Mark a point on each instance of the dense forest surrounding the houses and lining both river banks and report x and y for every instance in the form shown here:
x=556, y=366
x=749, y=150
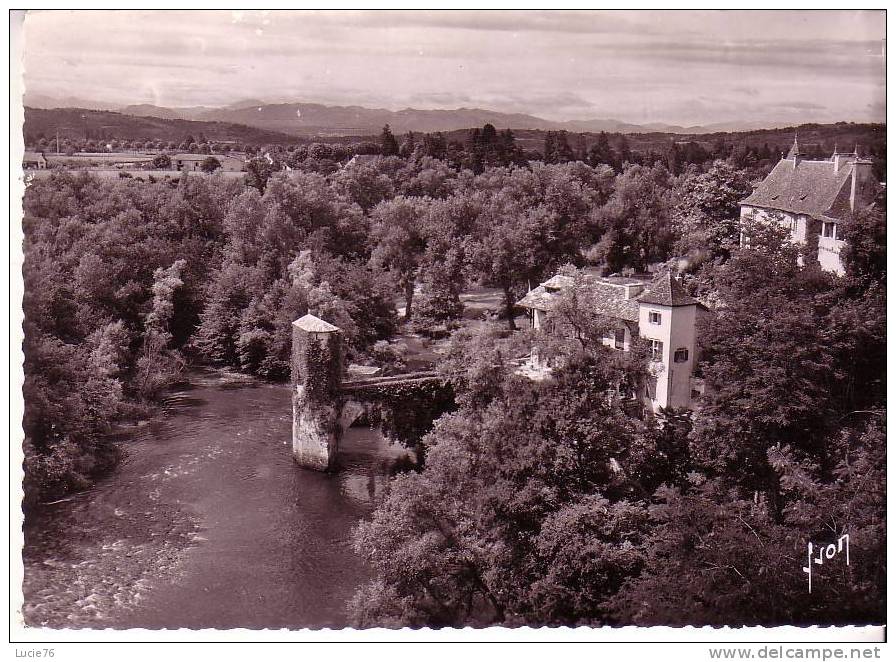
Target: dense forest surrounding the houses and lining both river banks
x=539, y=502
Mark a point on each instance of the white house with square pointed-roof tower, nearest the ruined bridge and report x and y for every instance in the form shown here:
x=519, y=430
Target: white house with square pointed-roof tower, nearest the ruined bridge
x=658, y=310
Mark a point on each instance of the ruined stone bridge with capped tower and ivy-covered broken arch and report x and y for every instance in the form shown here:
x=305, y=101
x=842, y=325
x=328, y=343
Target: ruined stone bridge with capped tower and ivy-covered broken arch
x=324, y=405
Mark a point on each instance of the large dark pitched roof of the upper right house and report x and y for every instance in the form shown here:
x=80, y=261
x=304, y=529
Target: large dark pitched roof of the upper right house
x=805, y=187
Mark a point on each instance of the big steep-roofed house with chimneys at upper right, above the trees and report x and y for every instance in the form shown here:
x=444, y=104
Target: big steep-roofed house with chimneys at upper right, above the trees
x=813, y=199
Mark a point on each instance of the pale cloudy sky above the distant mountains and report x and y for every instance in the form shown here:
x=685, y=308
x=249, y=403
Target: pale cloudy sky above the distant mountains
x=677, y=67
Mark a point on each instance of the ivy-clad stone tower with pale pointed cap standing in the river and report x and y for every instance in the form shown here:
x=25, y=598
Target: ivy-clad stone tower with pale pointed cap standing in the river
x=316, y=375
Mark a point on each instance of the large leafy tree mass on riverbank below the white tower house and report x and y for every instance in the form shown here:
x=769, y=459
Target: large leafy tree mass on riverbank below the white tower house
x=506, y=524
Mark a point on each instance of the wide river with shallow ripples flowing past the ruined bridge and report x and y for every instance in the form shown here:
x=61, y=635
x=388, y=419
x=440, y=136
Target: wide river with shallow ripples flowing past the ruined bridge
x=208, y=522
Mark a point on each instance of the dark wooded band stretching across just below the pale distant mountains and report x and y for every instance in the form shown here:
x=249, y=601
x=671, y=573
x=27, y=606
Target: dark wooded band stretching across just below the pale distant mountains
x=479, y=148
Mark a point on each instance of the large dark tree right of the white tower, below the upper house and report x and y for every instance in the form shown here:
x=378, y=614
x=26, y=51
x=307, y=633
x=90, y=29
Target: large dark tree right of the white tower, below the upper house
x=785, y=378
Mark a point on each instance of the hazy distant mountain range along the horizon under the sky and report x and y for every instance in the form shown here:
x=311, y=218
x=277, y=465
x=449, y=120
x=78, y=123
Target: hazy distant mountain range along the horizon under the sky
x=311, y=119
